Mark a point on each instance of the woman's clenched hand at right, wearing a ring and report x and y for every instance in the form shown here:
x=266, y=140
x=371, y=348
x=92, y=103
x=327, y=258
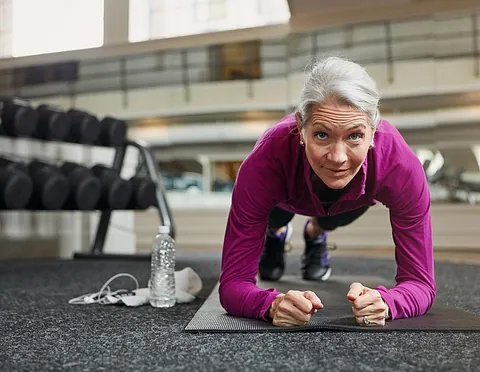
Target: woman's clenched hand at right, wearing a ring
x=368, y=306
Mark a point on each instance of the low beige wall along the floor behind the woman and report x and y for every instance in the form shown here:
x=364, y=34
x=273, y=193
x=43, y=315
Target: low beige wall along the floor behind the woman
x=452, y=226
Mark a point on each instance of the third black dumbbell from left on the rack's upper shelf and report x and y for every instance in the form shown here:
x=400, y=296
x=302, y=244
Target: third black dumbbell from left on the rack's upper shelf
x=84, y=127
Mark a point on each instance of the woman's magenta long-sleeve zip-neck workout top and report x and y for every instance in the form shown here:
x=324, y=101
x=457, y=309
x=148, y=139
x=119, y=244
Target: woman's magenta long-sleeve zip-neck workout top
x=277, y=173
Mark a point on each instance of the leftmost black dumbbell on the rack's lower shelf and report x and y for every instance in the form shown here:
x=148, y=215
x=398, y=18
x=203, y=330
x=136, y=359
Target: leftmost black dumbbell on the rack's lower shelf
x=16, y=186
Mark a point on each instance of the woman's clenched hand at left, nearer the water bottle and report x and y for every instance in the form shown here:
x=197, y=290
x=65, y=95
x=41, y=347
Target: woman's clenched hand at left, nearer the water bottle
x=295, y=308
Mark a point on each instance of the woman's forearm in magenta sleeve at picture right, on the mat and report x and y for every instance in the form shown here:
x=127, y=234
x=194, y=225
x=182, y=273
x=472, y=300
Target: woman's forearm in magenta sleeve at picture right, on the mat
x=408, y=299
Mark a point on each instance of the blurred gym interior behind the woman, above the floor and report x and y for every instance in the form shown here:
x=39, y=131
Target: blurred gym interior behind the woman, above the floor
x=189, y=85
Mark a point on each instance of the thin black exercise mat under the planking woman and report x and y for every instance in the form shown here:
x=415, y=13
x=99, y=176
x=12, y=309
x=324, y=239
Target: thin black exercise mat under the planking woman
x=336, y=315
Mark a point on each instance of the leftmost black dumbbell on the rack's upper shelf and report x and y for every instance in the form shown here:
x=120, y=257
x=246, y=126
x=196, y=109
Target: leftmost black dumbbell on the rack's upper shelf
x=19, y=118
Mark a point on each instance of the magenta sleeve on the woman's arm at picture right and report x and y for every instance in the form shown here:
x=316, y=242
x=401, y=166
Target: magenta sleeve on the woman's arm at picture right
x=408, y=198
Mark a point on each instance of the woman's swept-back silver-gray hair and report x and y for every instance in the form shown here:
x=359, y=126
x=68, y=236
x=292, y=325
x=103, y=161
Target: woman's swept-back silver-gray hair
x=343, y=81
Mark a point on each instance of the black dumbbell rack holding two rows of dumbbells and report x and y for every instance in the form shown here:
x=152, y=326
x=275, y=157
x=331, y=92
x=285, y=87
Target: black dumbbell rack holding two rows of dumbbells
x=99, y=188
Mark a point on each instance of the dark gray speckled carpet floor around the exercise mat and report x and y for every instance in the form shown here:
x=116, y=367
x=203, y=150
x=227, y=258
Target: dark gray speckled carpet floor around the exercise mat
x=40, y=331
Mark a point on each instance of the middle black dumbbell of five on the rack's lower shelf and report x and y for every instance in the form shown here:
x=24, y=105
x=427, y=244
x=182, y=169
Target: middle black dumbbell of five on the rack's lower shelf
x=85, y=187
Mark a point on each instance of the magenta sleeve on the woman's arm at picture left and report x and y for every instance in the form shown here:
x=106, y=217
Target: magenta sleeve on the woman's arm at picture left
x=254, y=195
